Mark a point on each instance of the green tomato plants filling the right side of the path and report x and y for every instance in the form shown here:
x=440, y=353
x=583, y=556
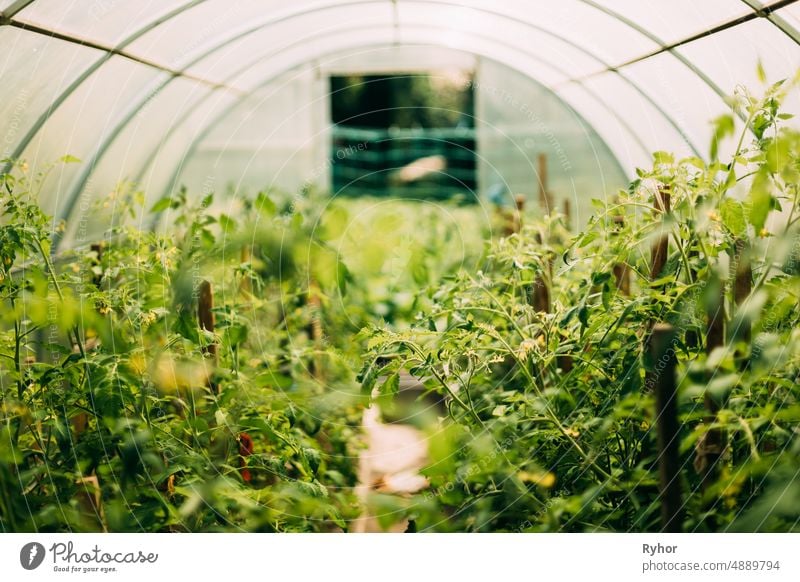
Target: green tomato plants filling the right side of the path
x=533, y=443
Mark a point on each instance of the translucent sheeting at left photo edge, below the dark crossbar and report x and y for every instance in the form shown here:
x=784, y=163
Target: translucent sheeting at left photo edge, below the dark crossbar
x=34, y=69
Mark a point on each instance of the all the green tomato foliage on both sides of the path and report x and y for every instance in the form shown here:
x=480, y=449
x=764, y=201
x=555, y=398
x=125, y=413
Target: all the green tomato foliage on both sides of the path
x=115, y=415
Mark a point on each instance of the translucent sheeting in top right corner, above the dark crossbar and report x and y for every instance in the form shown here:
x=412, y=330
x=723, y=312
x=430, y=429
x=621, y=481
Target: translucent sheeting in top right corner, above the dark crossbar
x=674, y=20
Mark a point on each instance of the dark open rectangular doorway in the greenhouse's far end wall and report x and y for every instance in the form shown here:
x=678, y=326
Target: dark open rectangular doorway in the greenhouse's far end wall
x=404, y=136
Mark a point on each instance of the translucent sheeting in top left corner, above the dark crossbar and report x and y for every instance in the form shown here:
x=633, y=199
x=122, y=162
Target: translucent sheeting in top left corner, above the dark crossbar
x=101, y=21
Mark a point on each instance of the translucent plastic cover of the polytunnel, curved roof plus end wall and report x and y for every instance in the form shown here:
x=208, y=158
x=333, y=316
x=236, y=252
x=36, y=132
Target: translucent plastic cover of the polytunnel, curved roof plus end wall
x=185, y=92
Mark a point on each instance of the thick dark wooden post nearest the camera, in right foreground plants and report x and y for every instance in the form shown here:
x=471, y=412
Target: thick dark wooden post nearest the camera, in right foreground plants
x=662, y=351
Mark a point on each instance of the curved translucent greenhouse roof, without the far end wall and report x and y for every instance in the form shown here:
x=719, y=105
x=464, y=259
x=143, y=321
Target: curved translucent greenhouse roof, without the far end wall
x=645, y=74
